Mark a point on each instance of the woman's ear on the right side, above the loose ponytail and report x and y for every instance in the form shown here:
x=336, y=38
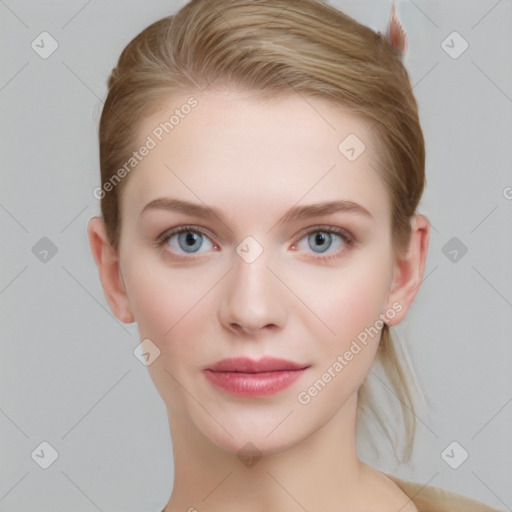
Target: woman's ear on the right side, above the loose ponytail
x=409, y=269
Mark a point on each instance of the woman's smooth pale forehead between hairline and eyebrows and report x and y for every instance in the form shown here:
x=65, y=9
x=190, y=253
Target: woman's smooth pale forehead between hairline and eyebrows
x=234, y=150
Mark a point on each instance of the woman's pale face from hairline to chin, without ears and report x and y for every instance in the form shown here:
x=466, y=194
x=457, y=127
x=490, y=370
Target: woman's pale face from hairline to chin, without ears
x=267, y=275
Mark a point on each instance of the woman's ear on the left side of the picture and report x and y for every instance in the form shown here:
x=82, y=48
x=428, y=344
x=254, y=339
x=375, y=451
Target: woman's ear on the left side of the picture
x=107, y=262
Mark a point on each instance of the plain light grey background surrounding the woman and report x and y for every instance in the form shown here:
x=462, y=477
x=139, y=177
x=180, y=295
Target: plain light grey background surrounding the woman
x=68, y=373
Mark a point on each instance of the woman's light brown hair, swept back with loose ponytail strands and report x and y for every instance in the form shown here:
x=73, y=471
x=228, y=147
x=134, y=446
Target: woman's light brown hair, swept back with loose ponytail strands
x=276, y=48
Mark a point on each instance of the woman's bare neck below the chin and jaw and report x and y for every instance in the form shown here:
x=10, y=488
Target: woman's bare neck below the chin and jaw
x=319, y=471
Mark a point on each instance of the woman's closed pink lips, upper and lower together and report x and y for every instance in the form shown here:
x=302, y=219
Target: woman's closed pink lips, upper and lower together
x=247, y=377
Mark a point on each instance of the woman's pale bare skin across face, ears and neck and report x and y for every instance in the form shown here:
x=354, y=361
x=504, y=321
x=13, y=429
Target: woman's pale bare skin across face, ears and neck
x=253, y=160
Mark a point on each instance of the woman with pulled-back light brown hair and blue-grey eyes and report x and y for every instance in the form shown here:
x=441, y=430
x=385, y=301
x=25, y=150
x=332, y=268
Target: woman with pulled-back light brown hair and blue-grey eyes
x=261, y=166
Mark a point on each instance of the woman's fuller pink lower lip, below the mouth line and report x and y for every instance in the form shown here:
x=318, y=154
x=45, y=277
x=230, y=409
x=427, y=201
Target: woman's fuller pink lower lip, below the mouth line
x=254, y=384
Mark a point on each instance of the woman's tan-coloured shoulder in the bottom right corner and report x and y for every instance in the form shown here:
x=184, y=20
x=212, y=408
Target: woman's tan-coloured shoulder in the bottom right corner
x=428, y=498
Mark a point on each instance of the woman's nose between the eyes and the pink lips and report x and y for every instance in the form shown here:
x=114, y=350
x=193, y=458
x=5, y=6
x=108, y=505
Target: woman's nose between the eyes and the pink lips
x=253, y=298
